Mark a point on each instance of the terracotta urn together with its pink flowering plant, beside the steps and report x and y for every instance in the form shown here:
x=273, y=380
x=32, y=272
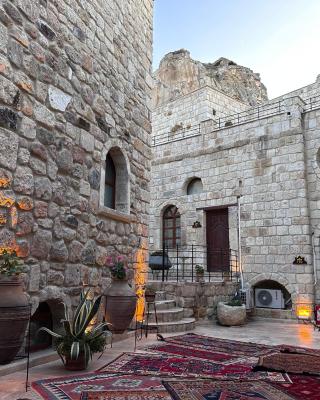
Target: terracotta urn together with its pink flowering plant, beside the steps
x=121, y=298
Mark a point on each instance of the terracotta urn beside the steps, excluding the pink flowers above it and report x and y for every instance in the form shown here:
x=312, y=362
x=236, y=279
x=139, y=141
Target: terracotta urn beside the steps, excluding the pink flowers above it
x=121, y=303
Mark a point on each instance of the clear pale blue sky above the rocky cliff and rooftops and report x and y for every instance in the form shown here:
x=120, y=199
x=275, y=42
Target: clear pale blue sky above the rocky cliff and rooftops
x=280, y=39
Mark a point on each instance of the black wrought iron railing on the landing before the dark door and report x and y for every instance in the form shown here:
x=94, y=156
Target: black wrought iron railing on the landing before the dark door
x=179, y=264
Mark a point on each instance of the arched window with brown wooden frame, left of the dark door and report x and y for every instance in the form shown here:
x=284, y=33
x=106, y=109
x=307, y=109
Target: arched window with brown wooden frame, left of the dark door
x=171, y=227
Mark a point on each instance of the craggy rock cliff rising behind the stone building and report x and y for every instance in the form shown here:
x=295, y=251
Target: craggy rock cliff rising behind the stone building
x=179, y=74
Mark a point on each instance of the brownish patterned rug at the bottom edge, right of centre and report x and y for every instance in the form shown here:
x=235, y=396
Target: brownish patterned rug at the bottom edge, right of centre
x=224, y=390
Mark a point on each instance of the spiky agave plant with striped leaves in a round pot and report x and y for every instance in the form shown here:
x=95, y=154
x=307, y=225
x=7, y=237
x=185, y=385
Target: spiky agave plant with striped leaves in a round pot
x=80, y=340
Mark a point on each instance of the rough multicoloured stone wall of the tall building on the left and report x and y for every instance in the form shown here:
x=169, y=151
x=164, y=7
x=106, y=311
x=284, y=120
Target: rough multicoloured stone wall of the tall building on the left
x=74, y=79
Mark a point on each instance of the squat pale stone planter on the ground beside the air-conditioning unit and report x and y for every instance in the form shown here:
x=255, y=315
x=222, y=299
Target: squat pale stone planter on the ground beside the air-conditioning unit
x=231, y=313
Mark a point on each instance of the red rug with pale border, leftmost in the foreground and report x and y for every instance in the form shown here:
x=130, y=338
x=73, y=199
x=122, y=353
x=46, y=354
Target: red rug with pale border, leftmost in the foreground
x=71, y=387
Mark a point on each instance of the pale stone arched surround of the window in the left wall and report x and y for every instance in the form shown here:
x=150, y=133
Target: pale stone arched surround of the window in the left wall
x=115, y=148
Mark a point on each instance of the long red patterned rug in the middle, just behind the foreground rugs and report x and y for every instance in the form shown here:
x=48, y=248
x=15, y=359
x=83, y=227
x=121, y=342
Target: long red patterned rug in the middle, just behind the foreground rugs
x=167, y=365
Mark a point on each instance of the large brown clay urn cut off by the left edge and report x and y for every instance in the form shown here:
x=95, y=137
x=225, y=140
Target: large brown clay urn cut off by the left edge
x=14, y=317
